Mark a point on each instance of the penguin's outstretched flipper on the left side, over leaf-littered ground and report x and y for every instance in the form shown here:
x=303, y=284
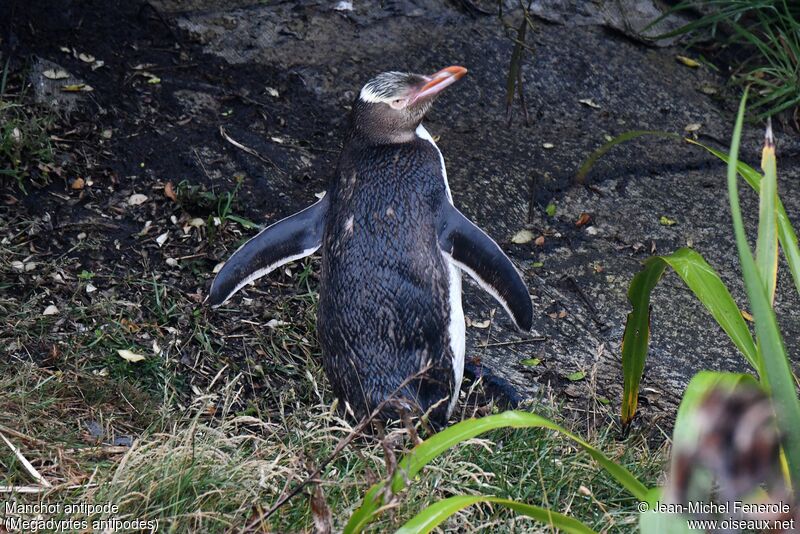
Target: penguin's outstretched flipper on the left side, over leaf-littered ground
x=289, y=239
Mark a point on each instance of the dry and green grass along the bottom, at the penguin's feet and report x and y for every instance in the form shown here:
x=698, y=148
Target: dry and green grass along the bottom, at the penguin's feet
x=194, y=471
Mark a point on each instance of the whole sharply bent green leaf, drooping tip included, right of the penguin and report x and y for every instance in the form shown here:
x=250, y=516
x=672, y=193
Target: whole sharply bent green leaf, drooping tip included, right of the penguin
x=709, y=289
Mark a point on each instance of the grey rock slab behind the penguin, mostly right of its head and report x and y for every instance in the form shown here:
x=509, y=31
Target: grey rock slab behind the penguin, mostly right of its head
x=581, y=83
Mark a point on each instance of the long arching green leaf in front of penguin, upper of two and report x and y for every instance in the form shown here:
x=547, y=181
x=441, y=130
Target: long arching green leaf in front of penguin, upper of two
x=422, y=454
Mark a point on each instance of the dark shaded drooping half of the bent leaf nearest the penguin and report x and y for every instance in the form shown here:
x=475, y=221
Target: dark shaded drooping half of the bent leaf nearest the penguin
x=636, y=339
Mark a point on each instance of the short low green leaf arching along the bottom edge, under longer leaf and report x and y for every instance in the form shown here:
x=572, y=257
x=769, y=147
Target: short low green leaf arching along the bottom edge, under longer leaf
x=435, y=514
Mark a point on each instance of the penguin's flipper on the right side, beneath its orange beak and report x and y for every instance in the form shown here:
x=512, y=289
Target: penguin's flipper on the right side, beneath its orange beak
x=471, y=250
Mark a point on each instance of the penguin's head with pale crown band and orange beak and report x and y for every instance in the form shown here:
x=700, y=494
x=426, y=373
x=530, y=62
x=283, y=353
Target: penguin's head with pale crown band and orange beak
x=392, y=104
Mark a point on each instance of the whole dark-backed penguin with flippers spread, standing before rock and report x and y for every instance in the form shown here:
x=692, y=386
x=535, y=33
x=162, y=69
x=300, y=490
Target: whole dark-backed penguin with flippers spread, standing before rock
x=390, y=319
